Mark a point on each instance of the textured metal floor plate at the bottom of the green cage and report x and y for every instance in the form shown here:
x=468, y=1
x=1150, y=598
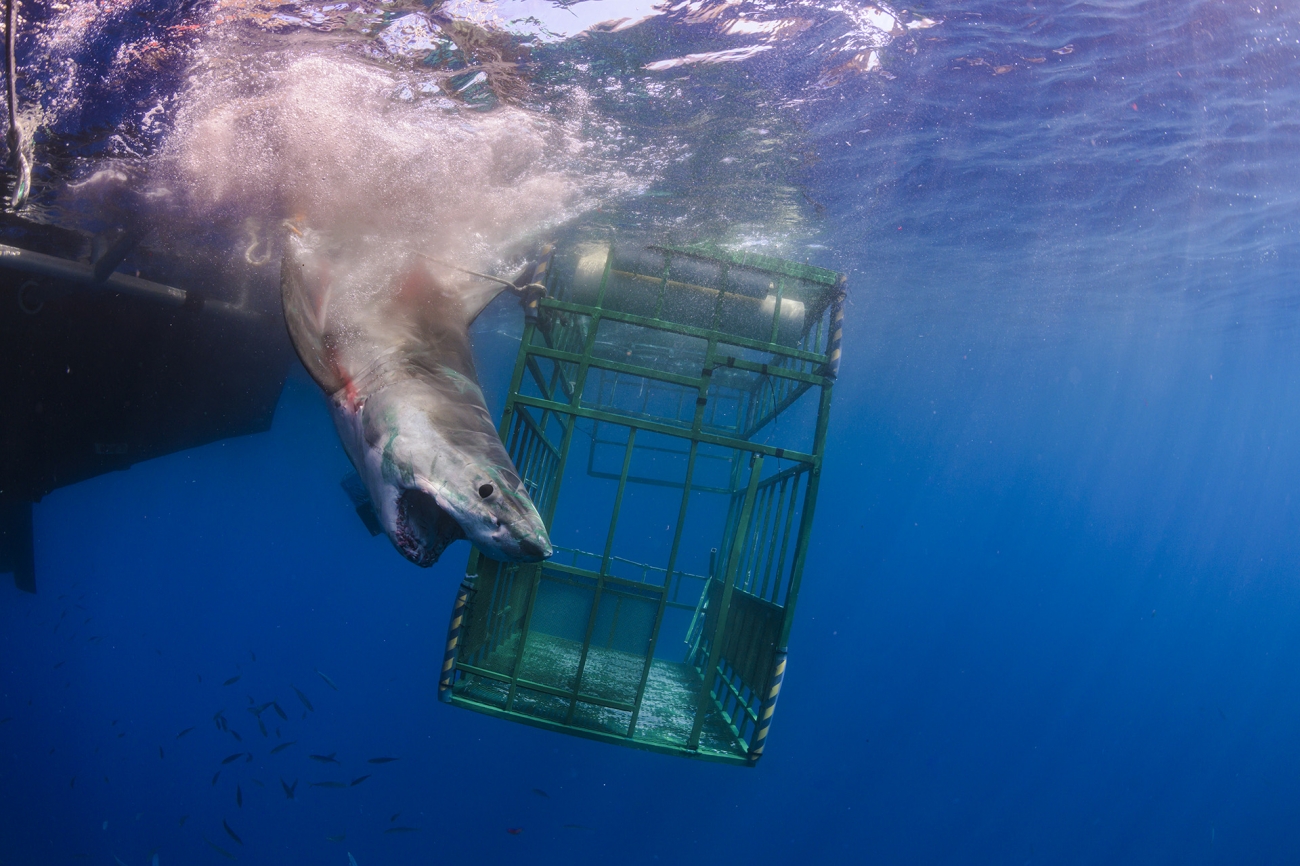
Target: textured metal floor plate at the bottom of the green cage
x=668, y=711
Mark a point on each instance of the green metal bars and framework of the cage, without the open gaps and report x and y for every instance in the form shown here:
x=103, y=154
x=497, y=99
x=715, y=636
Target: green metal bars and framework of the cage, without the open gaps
x=792, y=373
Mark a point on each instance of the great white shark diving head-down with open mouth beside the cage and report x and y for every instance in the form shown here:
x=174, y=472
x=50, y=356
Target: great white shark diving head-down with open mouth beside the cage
x=396, y=363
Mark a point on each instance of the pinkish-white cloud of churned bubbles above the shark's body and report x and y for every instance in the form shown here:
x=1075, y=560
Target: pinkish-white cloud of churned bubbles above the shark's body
x=323, y=140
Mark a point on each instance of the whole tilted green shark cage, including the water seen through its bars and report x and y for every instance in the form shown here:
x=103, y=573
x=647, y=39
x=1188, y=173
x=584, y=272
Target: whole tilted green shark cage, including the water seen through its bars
x=668, y=413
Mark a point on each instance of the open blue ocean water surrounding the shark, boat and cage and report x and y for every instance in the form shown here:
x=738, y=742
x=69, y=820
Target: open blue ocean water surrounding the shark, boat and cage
x=1048, y=613
